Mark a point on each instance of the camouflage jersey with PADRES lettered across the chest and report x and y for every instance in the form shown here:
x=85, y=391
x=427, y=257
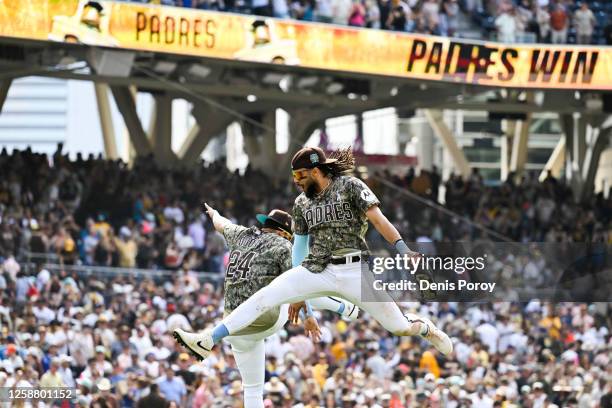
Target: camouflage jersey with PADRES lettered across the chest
x=335, y=220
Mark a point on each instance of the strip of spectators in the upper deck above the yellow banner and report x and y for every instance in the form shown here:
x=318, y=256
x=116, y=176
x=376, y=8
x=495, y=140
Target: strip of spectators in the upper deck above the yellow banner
x=556, y=21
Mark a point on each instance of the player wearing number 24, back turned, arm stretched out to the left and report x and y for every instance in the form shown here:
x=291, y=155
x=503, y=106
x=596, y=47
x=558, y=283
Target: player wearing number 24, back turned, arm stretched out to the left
x=257, y=256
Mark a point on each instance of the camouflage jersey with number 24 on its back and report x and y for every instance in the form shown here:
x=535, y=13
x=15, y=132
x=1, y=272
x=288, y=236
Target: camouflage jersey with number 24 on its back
x=255, y=259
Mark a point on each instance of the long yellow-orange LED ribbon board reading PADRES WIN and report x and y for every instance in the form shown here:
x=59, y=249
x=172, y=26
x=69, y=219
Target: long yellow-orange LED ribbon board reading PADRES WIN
x=231, y=36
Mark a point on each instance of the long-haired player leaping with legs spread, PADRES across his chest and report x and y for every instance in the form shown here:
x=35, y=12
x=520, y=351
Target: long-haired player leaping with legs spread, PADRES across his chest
x=331, y=218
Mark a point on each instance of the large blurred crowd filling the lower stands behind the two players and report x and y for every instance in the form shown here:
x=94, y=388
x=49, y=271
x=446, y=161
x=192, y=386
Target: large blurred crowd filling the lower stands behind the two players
x=108, y=334
